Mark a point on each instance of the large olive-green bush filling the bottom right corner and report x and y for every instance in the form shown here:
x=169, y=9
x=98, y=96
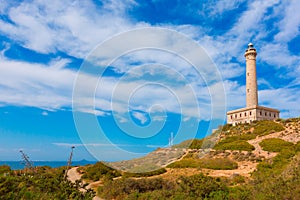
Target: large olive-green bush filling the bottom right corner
x=280, y=180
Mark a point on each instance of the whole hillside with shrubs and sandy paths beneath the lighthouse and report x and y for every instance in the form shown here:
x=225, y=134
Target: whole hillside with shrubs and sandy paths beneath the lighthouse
x=249, y=161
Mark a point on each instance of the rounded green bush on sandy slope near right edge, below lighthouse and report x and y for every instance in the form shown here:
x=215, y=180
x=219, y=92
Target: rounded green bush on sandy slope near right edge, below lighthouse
x=275, y=144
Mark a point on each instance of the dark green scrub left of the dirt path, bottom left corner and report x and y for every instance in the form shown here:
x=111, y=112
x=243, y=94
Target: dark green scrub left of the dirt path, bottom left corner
x=44, y=183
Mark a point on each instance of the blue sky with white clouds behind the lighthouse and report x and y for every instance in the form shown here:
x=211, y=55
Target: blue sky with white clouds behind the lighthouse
x=43, y=46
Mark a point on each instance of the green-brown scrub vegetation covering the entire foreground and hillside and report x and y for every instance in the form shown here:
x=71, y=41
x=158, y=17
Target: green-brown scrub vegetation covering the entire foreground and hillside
x=277, y=177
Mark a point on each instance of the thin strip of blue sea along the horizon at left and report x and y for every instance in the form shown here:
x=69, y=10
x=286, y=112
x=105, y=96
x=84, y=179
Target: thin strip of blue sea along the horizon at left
x=16, y=165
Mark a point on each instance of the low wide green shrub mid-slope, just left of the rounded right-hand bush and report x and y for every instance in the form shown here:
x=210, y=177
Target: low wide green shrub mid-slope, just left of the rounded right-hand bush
x=234, y=145
